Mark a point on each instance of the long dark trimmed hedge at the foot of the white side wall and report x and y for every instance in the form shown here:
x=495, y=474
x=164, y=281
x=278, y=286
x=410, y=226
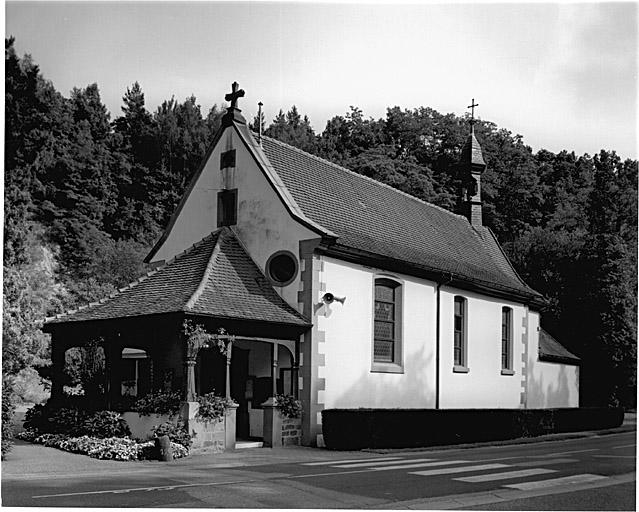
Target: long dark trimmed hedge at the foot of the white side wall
x=355, y=429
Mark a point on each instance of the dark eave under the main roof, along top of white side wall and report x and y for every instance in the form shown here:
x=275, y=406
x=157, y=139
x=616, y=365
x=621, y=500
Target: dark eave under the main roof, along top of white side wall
x=439, y=276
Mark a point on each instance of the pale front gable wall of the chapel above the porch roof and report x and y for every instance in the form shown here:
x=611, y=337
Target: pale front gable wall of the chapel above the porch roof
x=263, y=224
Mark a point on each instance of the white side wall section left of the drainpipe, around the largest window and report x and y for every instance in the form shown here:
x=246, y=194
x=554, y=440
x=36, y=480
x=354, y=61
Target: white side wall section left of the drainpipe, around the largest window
x=348, y=342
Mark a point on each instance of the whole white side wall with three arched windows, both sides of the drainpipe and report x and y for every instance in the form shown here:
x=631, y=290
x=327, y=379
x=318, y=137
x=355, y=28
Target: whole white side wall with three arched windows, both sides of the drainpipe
x=349, y=381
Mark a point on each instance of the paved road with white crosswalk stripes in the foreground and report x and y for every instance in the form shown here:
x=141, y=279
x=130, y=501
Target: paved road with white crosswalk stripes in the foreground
x=595, y=473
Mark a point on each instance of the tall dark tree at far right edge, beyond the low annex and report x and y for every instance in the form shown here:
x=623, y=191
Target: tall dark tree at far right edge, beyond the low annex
x=610, y=304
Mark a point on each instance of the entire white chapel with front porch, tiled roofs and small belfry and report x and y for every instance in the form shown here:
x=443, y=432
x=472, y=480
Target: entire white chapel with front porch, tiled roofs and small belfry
x=336, y=288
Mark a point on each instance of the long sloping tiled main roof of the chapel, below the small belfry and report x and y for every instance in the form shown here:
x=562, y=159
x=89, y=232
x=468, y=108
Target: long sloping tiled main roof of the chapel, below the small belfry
x=373, y=217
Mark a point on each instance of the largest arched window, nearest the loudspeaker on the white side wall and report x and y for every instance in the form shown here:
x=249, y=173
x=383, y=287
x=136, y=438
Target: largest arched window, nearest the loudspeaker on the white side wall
x=387, y=337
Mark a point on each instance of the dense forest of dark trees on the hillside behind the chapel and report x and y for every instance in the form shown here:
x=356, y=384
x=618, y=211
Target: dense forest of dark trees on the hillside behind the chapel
x=86, y=196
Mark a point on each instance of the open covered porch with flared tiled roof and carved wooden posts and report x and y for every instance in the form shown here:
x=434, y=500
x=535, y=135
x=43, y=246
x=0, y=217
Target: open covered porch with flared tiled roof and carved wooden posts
x=141, y=335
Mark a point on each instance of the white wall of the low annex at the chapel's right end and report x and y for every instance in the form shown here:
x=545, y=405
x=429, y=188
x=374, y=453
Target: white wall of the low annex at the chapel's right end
x=549, y=384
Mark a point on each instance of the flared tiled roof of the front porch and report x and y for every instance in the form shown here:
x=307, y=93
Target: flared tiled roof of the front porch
x=215, y=277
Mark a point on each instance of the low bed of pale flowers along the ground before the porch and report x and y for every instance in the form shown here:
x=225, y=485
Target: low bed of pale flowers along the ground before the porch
x=111, y=448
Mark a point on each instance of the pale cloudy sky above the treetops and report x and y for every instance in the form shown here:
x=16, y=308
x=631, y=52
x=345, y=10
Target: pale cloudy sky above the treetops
x=563, y=75
